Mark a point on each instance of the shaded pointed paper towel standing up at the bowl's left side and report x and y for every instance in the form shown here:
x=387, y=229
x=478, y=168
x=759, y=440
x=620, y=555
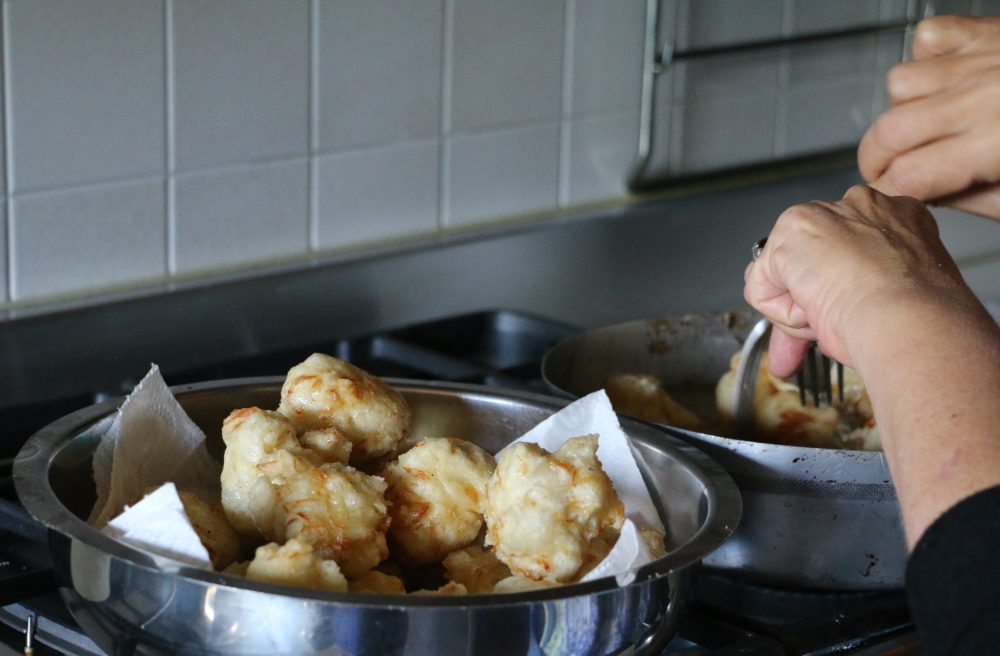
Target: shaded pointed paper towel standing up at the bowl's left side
x=150, y=442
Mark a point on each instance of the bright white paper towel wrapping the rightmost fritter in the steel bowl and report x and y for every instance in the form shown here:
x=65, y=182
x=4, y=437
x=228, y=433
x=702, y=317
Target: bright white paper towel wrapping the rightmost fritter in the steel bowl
x=594, y=414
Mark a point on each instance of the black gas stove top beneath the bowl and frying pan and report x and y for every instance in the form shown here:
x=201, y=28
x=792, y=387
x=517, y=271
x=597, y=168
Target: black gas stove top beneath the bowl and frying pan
x=495, y=348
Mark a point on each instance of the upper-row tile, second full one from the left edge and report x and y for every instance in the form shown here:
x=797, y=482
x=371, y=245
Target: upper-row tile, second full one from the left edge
x=240, y=81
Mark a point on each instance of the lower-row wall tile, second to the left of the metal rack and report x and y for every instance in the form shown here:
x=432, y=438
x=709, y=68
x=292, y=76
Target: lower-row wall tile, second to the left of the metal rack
x=499, y=174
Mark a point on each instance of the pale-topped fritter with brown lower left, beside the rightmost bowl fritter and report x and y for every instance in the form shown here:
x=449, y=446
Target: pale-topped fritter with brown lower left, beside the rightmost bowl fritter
x=437, y=494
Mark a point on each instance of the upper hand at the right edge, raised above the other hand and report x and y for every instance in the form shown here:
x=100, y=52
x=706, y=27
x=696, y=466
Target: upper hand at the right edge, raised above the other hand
x=941, y=139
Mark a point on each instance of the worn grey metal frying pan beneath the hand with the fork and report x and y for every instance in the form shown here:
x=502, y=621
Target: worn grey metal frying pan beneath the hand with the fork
x=812, y=517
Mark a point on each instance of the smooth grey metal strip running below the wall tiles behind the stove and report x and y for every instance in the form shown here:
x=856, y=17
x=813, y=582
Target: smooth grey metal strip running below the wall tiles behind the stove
x=682, y=252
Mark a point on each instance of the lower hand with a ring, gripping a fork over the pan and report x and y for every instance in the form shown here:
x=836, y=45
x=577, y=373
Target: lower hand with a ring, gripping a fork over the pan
x=829, y=267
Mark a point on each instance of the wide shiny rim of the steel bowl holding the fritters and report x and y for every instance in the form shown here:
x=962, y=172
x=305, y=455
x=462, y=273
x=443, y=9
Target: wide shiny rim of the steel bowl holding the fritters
x=31, y=471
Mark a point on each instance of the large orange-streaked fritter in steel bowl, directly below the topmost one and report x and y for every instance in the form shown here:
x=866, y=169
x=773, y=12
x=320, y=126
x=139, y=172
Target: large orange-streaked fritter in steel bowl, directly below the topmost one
x=336, y=509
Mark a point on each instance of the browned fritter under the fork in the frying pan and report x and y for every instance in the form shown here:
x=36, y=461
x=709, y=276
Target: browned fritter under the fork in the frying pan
x=781, y=418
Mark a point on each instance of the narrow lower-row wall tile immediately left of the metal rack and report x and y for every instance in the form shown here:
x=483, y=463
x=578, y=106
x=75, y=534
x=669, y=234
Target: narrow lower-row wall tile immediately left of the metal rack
x=602, y=153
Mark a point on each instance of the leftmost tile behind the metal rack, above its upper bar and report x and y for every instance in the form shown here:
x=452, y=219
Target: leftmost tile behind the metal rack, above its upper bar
x=709, y=23
